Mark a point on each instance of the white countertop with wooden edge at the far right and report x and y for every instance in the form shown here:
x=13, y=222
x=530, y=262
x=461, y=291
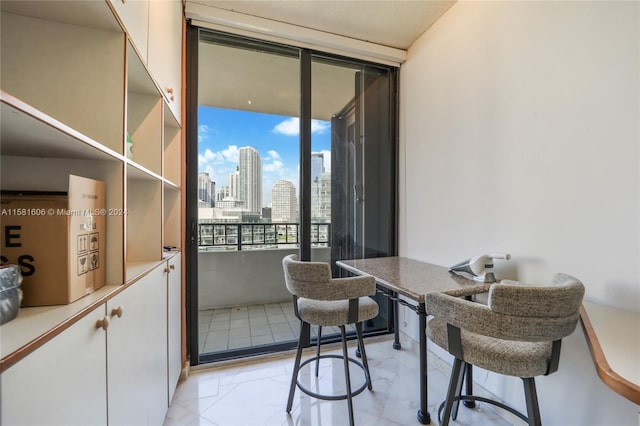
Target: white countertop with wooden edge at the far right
x=613, y=336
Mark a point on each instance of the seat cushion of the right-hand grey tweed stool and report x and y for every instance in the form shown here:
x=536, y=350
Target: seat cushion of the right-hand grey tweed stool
x=508, y=357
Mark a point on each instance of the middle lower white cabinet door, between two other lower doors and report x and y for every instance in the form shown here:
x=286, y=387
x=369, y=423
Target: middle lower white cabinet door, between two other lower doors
x=137, y=352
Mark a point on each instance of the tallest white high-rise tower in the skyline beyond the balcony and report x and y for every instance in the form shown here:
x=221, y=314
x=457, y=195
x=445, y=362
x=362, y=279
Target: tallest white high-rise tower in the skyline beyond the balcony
x=250, y=179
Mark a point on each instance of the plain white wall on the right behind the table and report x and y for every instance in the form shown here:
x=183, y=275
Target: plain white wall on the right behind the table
x=520, y=133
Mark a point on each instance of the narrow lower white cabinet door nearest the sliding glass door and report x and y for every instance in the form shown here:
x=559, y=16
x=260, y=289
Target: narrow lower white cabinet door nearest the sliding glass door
x=174, y=322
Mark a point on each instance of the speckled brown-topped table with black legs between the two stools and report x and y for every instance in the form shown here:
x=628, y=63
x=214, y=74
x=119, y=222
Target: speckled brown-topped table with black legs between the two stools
x=412, y=280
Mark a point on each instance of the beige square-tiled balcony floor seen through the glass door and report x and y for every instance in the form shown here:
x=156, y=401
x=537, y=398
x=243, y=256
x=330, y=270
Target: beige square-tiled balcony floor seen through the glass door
x=249, y=325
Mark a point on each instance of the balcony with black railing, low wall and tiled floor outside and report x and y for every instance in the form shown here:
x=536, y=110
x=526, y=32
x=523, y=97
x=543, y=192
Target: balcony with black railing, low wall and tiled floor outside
x=242, y=297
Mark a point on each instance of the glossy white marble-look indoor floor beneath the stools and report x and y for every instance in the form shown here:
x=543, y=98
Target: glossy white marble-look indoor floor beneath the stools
x=254, y=391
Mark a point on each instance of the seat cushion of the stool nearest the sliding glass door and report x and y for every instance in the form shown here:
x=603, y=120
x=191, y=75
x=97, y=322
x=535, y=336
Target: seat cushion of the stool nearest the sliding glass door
x=334, y=312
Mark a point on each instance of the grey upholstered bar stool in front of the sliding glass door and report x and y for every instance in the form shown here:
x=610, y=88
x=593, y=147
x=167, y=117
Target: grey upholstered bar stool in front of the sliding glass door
x=324, y=301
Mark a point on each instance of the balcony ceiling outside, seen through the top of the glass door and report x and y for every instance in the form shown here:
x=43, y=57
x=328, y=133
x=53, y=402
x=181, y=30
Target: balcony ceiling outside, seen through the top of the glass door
x=250, y=80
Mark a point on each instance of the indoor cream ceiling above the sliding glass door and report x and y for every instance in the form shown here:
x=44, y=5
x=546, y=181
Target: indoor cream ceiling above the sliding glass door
x=392, y=23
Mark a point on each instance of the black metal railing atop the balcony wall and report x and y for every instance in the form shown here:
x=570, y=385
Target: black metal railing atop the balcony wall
x=251, y=236
